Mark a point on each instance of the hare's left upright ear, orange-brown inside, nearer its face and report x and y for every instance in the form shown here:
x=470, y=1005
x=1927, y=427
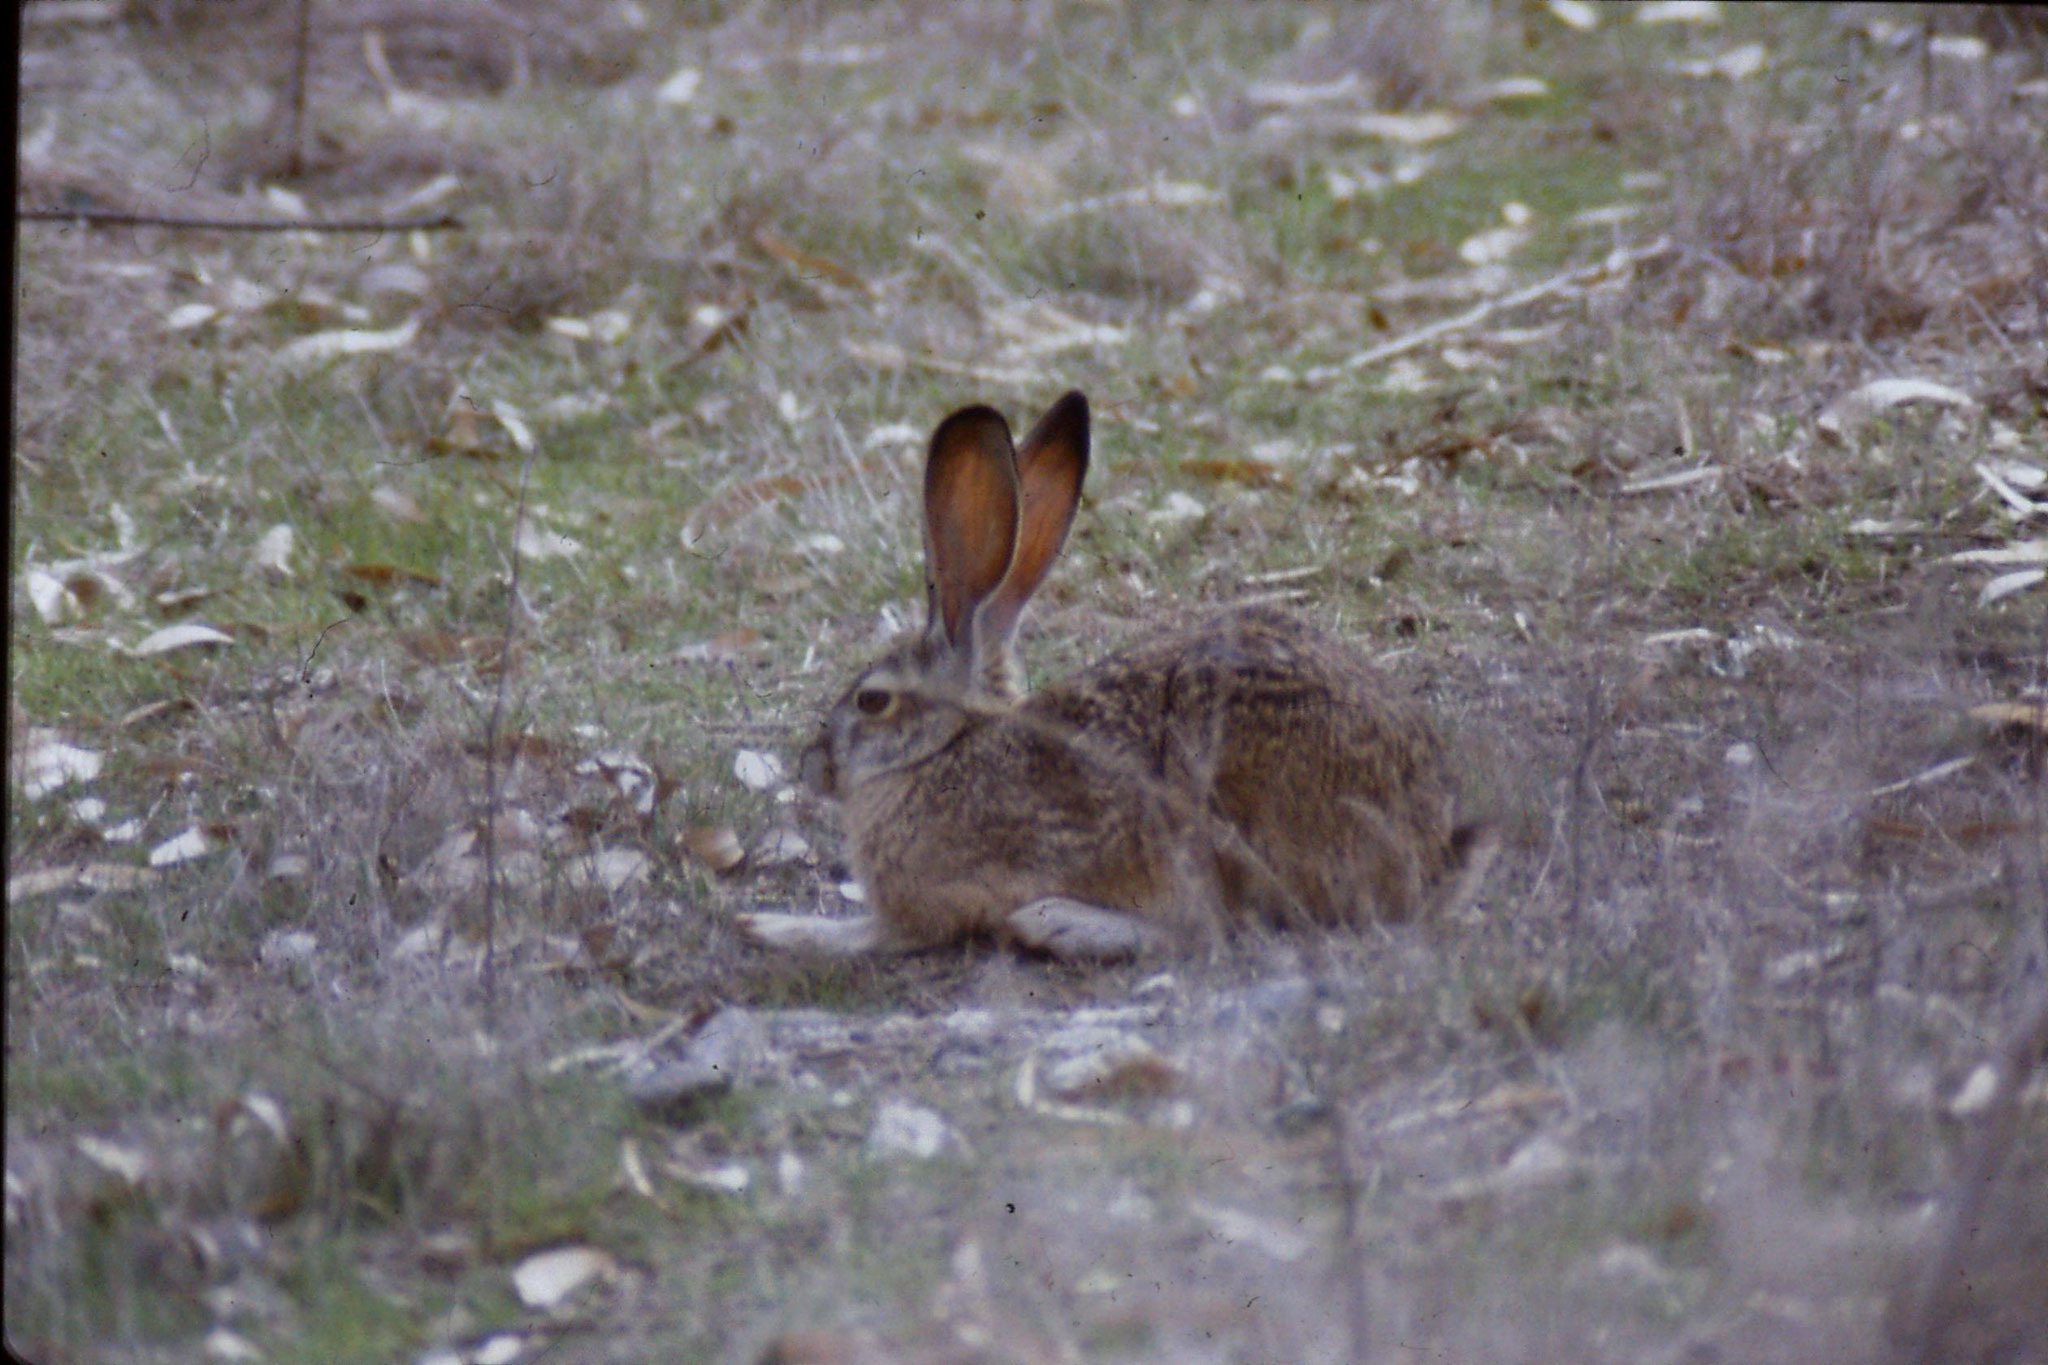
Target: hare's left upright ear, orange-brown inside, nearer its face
x=970, y=519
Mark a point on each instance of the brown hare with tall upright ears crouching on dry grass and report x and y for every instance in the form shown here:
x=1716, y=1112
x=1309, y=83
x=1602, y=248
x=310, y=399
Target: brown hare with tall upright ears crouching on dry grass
x=1250, y=768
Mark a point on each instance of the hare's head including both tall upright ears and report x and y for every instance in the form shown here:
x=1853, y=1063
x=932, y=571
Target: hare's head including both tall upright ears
x=994, y=521
